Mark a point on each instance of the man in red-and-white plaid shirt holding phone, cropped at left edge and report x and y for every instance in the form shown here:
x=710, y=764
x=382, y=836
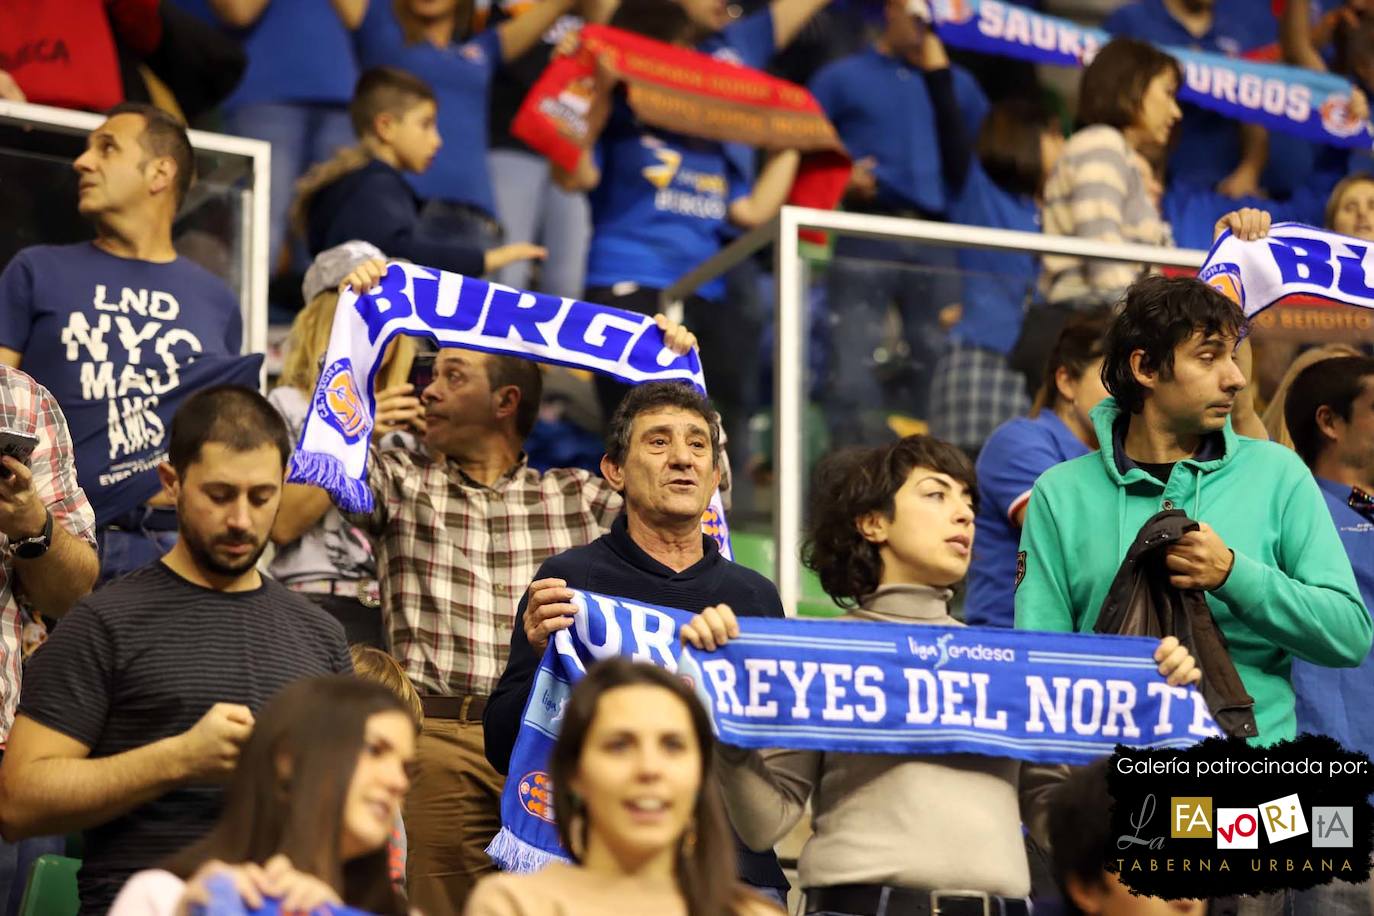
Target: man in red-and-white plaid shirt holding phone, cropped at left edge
x=47, y=551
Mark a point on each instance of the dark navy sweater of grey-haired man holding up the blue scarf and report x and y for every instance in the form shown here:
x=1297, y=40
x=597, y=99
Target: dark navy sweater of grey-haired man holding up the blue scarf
x=615, y=565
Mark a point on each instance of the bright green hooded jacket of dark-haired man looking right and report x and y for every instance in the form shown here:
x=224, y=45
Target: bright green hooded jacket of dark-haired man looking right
x=1291, y=590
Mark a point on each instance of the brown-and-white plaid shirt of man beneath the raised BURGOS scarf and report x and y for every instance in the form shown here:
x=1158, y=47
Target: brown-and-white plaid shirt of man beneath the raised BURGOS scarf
x=455, y=557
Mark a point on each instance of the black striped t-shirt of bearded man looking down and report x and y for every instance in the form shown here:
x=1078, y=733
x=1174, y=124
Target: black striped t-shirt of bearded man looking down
x=144, y=660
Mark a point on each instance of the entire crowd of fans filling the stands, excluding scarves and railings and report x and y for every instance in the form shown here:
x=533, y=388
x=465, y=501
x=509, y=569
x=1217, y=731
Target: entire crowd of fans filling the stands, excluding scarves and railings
x=192, y=707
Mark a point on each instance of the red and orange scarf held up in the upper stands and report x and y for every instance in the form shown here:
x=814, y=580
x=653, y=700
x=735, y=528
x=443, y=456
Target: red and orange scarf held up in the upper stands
x=688, y=93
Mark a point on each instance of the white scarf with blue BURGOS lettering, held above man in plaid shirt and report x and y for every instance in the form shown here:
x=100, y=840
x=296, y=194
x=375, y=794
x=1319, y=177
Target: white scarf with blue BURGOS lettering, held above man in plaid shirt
x=455, y=311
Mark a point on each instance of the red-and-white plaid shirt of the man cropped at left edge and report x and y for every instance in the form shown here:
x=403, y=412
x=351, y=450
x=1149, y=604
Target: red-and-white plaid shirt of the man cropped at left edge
x=27, y=407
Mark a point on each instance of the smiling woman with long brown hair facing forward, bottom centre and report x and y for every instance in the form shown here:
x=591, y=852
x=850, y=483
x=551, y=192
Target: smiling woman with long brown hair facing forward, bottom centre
x=637, y=805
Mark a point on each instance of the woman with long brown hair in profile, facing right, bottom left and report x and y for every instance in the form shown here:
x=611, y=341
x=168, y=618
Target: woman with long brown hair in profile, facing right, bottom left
x=310, y=810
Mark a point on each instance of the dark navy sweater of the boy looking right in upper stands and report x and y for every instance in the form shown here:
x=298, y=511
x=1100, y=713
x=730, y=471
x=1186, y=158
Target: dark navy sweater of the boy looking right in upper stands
x=377, y=205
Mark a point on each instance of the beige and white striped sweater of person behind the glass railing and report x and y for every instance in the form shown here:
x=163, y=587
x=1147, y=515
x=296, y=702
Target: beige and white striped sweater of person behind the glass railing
x=1099, y=190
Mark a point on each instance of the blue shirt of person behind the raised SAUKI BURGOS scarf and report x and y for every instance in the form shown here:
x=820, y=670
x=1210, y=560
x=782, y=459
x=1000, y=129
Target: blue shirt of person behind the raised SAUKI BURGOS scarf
x=1210, y=145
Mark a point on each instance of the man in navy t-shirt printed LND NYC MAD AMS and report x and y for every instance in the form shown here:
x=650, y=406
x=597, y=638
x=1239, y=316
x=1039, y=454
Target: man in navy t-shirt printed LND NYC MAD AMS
x=117, y=329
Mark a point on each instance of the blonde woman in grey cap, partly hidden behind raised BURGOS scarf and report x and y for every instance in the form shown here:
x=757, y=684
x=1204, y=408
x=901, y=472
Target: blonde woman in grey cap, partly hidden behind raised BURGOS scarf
x=318, y=553
